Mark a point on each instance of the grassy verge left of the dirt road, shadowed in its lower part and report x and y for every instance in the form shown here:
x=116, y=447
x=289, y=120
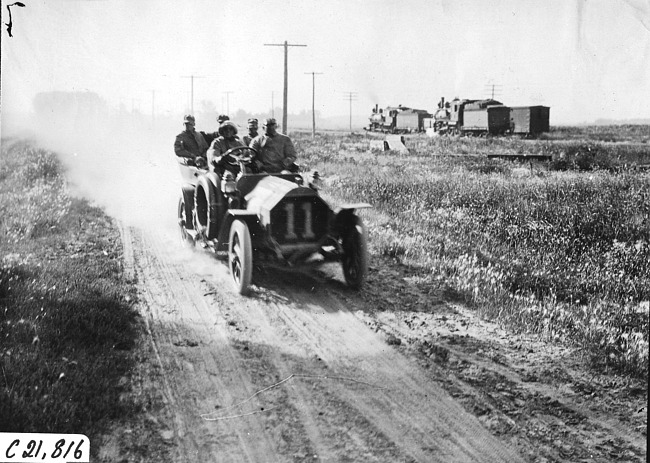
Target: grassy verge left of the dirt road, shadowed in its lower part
x=66, y=316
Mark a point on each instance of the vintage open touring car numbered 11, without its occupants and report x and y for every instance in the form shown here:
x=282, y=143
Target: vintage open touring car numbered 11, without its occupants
x=257, y=218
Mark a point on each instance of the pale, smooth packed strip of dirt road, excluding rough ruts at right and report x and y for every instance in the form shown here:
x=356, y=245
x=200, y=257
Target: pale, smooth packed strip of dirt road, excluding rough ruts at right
x=352, y=397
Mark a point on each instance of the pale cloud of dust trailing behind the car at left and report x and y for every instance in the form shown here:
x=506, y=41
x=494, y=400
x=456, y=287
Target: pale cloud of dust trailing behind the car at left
x=125, y=165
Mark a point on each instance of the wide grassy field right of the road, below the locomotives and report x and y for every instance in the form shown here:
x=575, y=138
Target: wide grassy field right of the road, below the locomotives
x=562, y=254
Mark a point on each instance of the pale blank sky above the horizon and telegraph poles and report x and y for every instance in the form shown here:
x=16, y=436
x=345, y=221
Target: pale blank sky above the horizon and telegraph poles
x=585, y=59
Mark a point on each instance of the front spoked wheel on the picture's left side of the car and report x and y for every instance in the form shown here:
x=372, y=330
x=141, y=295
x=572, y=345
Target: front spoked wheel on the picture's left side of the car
x=240, y=256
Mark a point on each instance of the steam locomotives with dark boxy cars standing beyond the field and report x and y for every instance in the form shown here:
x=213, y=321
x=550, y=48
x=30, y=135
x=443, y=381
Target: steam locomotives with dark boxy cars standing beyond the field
x=463, y=117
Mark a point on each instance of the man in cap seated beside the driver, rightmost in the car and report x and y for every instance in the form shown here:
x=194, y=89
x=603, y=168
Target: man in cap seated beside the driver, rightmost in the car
x=275, y=150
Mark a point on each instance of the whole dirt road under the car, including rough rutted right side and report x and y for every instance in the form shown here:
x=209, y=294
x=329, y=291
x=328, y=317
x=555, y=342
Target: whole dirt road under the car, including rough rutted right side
x=306, y=370
